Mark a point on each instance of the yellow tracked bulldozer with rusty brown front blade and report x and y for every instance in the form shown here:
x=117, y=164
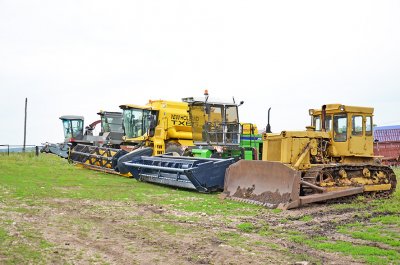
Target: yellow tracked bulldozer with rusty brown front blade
x=332, y=158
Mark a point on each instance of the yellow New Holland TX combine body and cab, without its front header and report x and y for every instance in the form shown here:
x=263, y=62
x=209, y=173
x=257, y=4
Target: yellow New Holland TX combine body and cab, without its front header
x=160, y=124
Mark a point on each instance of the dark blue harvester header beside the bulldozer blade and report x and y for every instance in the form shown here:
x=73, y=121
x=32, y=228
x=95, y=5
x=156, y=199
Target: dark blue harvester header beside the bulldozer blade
x=201, y=174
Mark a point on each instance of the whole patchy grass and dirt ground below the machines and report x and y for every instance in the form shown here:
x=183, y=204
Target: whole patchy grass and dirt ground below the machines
x=53, y=212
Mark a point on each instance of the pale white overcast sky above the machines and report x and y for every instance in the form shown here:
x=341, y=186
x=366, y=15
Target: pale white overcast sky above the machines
x=79, y=57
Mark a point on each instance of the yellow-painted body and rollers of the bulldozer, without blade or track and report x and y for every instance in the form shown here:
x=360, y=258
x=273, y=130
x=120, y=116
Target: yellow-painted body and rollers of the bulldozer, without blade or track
x=302, y=150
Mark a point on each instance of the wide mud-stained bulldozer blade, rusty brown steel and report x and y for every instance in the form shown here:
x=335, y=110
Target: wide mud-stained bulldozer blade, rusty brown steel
x=270, y=184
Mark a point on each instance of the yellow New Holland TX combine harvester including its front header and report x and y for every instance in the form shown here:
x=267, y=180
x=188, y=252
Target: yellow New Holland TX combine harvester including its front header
x=158, y=127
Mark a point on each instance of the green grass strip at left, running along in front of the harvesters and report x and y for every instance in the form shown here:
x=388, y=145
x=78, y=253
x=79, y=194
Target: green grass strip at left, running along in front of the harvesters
x=48, y=176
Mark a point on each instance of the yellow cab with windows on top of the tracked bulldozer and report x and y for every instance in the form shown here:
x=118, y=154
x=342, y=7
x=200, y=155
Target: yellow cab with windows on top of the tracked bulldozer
x=350, y=128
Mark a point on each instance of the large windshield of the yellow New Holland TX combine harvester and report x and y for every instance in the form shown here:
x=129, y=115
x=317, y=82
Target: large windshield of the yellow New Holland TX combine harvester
x=136, y=122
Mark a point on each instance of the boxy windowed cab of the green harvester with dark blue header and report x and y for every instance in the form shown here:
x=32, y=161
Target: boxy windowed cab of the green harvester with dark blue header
x=214, y=123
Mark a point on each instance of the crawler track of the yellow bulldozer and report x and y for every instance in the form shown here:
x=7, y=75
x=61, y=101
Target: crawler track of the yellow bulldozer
x=313, y=175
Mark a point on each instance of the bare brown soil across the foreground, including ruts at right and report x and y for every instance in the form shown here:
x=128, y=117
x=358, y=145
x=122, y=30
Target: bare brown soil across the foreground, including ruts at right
x=103, y=232
